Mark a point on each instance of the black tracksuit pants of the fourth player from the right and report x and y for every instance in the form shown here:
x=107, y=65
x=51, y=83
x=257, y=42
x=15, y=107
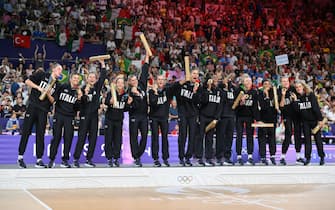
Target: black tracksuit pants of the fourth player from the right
x=240, y=122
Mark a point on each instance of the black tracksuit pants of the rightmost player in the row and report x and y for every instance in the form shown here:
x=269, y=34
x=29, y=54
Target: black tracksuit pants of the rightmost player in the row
x=307, y=128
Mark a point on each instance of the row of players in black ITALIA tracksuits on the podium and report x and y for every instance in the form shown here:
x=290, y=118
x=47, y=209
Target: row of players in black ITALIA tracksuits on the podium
x=199, y=104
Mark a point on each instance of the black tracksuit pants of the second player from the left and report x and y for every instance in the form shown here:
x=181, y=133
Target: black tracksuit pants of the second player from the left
x=61, y=122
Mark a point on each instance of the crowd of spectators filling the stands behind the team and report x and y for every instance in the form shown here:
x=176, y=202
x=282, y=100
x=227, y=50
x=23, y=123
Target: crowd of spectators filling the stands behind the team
x=221, y=37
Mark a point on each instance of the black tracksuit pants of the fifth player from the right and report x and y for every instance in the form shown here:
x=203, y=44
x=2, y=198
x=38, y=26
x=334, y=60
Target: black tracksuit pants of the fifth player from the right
x=224, y=137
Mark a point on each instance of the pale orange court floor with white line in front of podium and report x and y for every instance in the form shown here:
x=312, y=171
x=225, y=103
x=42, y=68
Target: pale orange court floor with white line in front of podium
x=306, y=196
